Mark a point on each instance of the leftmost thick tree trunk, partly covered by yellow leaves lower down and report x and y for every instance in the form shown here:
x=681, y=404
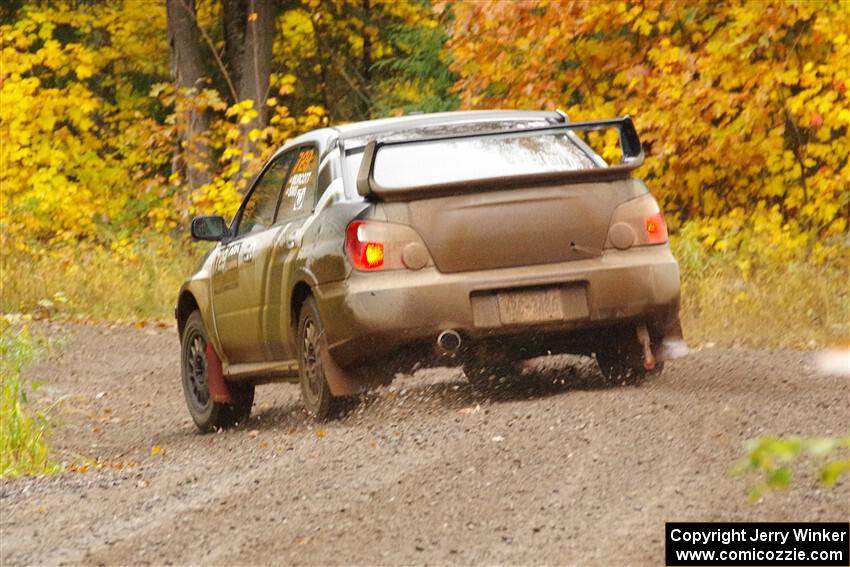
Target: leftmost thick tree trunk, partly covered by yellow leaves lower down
x=192, y=158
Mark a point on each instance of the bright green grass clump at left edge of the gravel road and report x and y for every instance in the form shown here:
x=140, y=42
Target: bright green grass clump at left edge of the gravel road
x=23, y=448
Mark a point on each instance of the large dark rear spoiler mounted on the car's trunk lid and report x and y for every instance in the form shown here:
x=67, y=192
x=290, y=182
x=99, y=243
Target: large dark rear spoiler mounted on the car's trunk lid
x=630, y=147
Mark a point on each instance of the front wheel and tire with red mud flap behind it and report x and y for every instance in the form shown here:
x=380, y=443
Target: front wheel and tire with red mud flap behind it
x=207, y=414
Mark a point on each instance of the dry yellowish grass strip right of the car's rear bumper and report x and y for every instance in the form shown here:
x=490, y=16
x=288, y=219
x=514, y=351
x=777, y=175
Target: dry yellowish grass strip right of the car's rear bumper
x=793, y=304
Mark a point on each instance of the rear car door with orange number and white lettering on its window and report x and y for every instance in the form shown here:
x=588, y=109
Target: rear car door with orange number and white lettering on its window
x=296, y=206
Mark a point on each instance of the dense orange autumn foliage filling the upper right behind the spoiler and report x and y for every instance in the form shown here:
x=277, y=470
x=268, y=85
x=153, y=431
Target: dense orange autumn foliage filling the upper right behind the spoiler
x=743, y=107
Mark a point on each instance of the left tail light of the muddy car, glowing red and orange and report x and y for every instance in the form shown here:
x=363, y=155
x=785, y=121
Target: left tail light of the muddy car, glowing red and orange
x=372, y=246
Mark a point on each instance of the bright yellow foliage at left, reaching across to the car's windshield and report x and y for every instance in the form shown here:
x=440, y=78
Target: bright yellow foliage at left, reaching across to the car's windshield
x=83, y=155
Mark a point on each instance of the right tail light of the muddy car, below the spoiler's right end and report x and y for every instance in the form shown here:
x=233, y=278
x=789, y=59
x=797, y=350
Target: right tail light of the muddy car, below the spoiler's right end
x=638, y=222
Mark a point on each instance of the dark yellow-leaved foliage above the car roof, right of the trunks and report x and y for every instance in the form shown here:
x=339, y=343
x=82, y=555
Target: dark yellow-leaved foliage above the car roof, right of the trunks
x=335, y=51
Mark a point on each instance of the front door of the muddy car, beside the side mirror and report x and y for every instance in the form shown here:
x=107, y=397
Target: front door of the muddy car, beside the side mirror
x=238, y=280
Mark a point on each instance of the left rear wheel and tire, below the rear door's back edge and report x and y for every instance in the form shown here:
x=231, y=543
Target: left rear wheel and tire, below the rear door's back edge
x=315, y=391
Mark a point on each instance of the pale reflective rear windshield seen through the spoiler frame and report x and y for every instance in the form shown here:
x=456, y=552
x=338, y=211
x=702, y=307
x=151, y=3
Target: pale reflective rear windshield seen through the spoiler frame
x=436, y=162
